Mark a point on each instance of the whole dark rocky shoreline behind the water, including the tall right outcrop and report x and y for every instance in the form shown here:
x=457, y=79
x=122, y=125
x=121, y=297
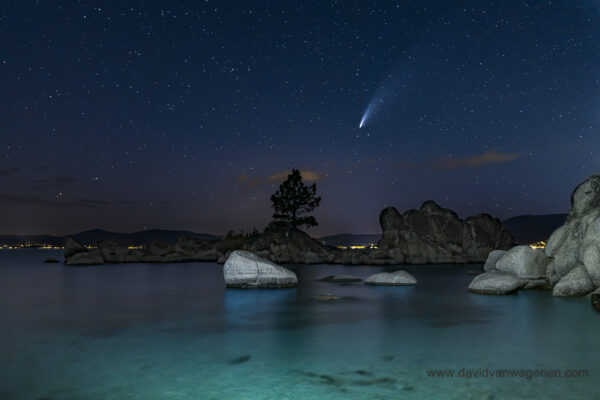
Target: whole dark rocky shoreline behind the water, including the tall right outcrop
x=429, y=235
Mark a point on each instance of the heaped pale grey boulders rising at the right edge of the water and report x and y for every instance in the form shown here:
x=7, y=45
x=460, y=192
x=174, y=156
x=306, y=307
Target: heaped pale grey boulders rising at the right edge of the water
x=570, y=262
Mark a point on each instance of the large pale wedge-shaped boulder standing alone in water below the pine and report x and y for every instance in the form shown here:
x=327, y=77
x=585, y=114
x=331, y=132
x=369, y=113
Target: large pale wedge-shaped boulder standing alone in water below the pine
x=246, y=270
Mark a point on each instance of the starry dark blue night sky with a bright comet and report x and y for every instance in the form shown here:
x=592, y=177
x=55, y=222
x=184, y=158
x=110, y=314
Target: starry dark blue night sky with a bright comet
x=185, y=115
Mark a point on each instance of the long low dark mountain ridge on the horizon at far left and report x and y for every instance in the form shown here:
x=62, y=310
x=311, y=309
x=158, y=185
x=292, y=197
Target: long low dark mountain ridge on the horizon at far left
x=92, y=236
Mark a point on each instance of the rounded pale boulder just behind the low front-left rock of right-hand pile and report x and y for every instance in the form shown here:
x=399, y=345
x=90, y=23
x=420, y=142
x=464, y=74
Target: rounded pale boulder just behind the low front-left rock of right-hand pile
x=525, y=262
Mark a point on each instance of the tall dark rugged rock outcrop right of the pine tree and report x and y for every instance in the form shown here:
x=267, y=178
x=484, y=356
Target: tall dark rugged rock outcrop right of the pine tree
x=435, y=235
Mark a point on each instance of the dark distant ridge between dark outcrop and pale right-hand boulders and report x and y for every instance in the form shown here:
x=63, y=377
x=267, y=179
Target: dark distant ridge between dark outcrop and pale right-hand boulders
x=533, y=228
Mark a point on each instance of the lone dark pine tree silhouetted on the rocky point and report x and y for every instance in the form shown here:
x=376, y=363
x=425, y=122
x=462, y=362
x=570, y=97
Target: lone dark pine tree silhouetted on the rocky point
x=293, y=201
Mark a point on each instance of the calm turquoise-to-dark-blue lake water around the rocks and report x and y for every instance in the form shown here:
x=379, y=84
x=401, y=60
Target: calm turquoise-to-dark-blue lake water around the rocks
x=172, y=331
